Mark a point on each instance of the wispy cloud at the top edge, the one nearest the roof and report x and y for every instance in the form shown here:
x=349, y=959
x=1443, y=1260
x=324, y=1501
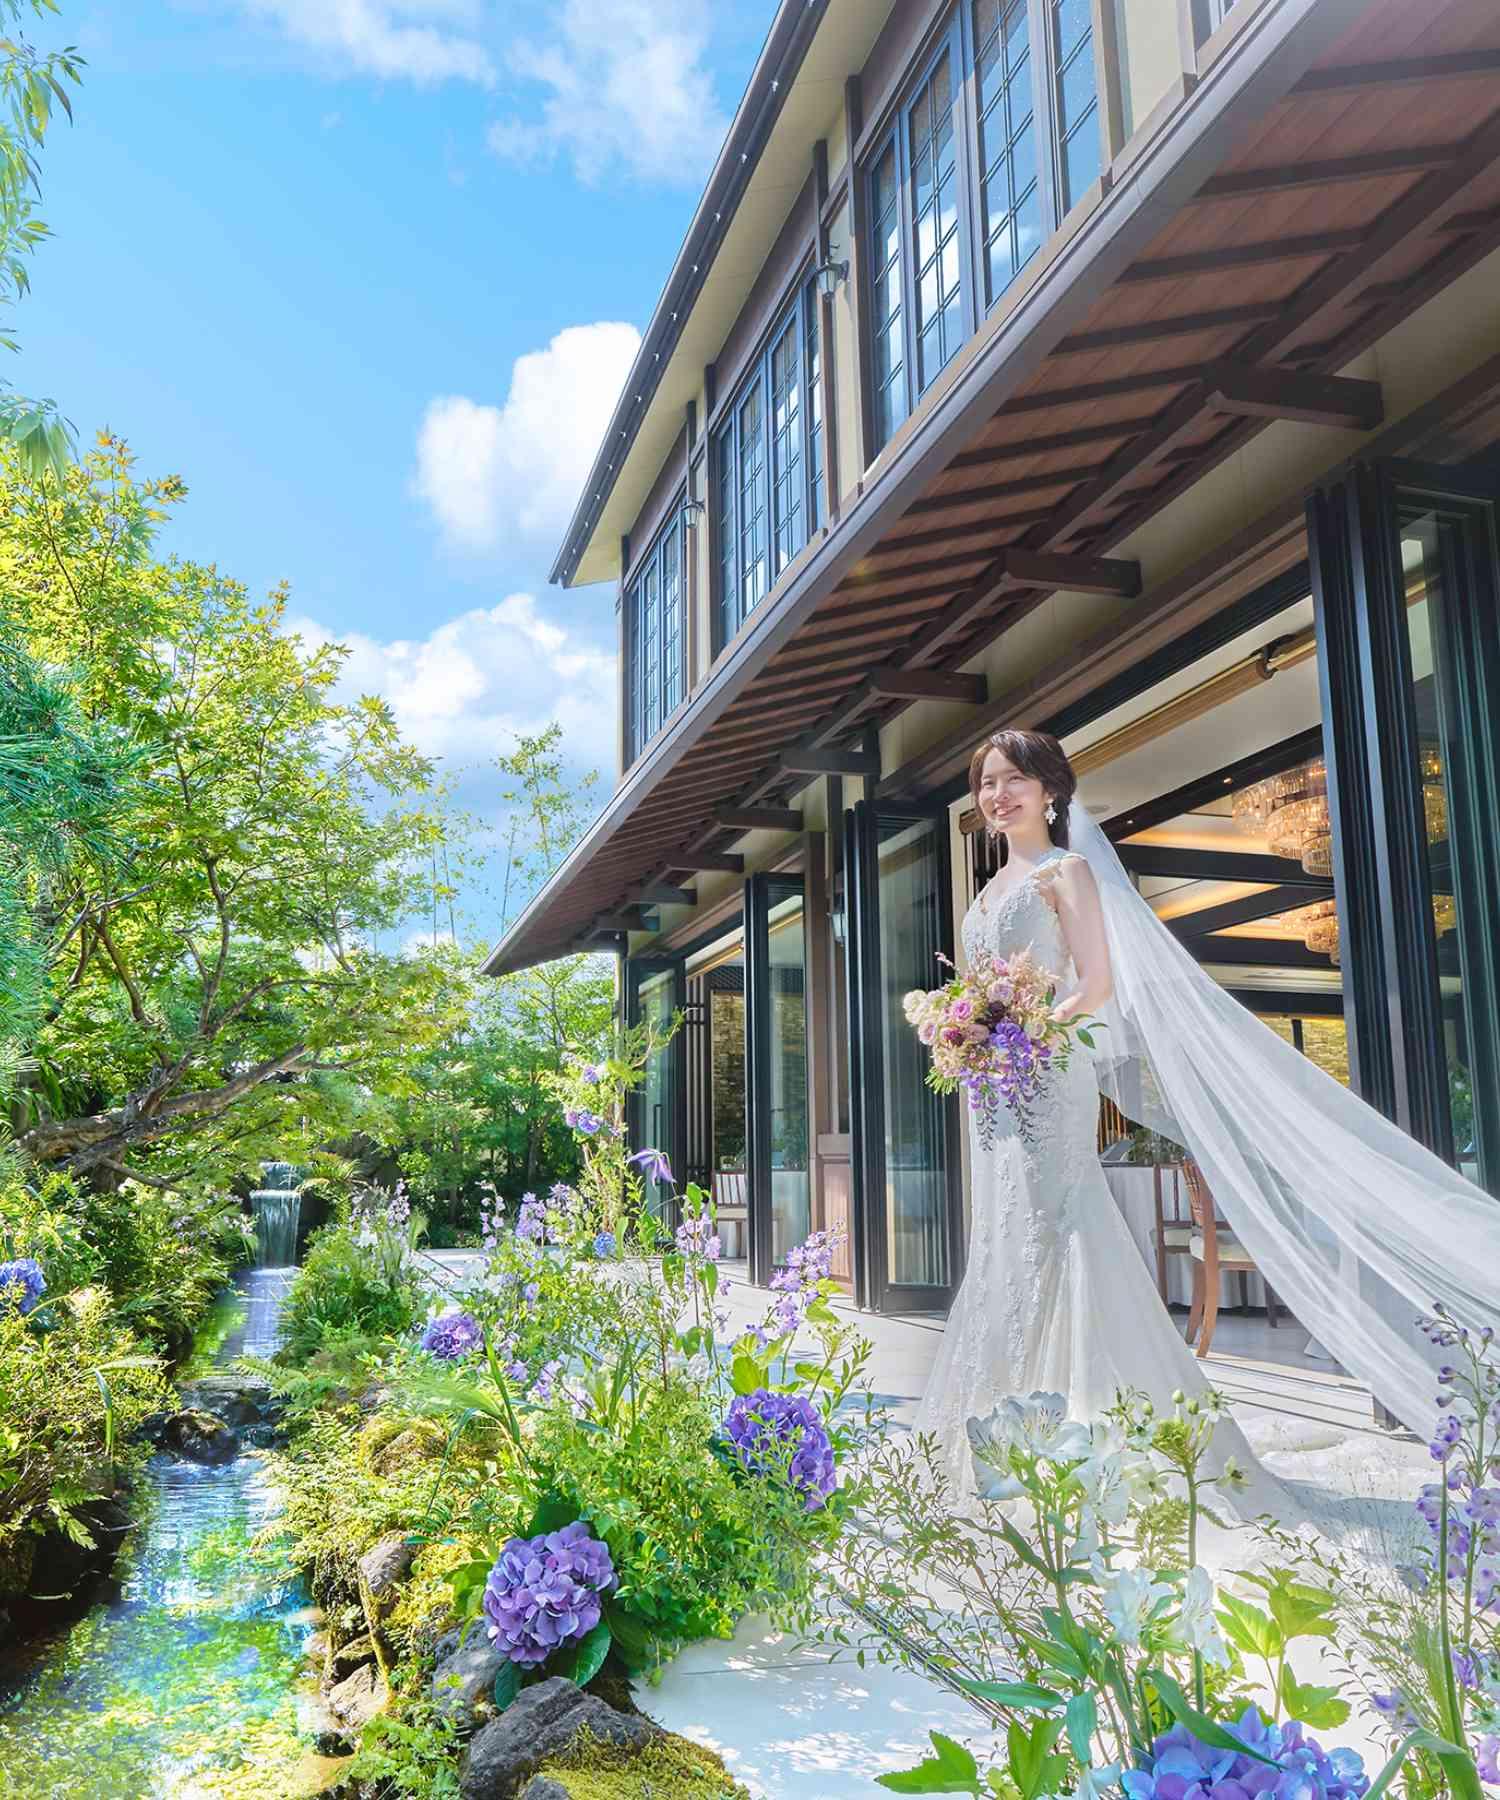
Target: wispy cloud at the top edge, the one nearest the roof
x=620, y=85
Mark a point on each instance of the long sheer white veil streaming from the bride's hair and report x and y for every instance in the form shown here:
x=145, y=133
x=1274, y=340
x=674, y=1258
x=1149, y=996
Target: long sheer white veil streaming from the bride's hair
x=1355, y=1225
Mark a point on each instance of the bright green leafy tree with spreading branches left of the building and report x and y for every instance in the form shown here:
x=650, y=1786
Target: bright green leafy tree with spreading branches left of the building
x=249, y=971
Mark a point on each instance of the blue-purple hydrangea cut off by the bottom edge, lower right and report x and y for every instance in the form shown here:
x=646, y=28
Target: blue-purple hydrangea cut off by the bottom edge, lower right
x=1184, y=1768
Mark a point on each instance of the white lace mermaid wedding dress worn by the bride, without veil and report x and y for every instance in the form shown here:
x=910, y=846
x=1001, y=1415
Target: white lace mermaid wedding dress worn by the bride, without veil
x=1056, y=1295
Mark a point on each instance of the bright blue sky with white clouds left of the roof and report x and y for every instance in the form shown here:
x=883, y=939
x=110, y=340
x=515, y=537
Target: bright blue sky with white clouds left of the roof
x=368, y=276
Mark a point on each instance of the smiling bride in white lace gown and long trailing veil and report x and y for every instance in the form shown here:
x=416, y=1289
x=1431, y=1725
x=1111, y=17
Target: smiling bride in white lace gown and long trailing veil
x=1353, y=1223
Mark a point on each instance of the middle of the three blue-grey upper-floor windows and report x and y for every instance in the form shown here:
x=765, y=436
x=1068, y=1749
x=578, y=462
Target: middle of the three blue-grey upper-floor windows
x=768, y=467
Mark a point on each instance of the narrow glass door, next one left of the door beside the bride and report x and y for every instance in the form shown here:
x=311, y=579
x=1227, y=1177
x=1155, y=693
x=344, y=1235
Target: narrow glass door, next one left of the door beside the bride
x=781, y=1164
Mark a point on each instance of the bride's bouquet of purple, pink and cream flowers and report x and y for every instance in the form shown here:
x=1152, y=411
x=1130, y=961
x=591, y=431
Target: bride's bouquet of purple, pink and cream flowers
x=993, y=1036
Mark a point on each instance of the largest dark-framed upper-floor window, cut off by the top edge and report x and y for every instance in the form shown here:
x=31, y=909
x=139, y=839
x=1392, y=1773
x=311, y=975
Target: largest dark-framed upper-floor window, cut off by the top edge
x=894, y=397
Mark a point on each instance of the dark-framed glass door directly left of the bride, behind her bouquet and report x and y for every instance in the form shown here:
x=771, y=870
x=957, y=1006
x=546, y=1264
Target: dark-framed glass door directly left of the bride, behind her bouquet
x=908, y=1200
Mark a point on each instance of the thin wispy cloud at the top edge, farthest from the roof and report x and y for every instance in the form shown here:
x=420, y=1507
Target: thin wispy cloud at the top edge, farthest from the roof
x=397, y=40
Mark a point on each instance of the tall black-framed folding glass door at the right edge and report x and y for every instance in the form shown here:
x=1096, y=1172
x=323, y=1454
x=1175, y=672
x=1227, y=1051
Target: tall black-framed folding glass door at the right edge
x=1409, y=634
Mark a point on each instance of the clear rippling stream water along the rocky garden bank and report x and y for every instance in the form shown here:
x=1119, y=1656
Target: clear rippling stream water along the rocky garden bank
x=186, y=1684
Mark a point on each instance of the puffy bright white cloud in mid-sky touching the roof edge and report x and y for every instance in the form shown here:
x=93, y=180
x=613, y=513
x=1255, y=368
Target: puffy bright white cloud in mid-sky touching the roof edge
x=514, y=472
